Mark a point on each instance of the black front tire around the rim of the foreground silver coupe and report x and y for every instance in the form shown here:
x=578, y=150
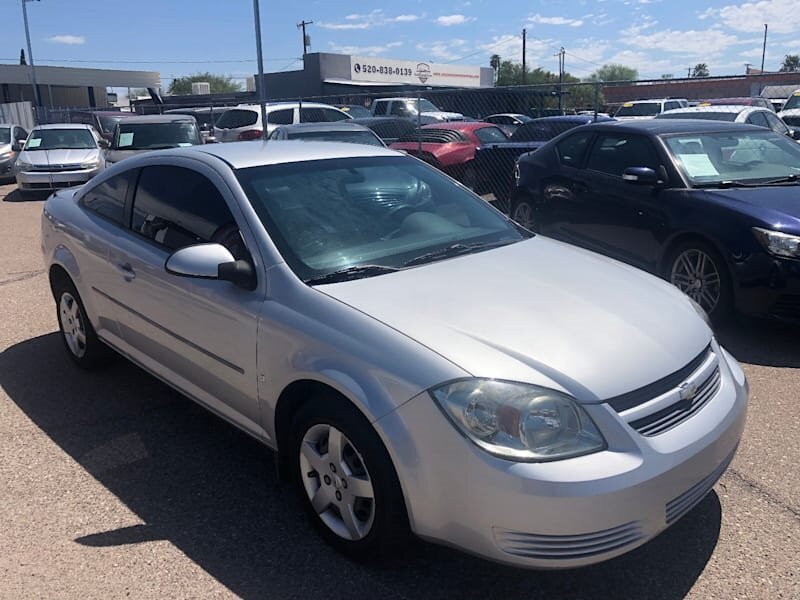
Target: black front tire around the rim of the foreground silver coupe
x=390, y=525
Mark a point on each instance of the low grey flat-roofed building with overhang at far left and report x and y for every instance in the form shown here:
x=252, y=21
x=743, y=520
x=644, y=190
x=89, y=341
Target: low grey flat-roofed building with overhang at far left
x=69, y=87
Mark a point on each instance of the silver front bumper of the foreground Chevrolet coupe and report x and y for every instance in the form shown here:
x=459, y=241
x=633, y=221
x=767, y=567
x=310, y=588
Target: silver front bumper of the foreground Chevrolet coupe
x=568, y=513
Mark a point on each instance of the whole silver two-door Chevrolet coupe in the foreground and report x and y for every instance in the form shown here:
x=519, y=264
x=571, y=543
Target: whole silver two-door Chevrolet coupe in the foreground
x=418, y=362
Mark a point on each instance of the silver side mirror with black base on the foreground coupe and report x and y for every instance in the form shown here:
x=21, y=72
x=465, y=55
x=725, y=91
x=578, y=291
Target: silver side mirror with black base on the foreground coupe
x=211, y=261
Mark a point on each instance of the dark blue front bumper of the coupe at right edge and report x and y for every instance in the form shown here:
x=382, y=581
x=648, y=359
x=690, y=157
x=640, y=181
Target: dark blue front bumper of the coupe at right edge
x=768, y=286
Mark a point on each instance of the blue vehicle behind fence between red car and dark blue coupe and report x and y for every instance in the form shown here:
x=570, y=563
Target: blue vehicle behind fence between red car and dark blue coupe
x=494, y=163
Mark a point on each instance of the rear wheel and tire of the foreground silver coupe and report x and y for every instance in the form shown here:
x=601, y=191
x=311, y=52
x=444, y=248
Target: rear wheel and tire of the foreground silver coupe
x=79, y=337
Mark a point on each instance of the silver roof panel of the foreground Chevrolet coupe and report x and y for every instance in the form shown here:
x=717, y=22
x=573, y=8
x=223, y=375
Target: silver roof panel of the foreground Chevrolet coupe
x=241, y=155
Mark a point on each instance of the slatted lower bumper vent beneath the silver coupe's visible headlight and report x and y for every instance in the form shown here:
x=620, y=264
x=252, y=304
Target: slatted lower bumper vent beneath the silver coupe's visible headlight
x=566, y=547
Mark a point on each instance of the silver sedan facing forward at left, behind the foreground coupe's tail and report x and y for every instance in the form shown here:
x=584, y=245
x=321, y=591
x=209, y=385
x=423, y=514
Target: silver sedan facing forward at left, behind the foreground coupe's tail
x=58, y=156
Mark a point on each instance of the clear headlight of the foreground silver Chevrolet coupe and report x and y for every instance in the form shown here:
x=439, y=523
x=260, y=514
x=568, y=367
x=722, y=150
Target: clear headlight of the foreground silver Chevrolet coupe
x=518, y=421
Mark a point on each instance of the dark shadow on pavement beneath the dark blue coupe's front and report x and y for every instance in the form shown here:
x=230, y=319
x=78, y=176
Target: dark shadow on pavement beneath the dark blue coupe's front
x=761, y=342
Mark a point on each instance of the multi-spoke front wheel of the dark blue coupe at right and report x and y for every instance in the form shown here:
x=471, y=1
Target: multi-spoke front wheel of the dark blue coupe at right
x=697, y=269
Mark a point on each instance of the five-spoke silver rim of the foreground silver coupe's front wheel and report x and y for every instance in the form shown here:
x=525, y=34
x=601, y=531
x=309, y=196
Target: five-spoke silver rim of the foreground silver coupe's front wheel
x=337, y=482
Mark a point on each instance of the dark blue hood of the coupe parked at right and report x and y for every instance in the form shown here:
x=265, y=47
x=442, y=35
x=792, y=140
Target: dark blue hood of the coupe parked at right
x=777, y=205
